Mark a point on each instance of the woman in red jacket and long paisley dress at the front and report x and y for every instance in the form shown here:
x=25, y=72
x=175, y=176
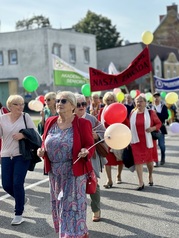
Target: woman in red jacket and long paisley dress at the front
x=66, y=138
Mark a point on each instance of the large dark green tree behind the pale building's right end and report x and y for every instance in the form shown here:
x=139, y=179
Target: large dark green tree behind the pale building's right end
x=106, y=34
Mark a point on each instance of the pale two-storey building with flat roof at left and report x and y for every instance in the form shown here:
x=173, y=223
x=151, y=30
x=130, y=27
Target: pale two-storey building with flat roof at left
x=29, y=52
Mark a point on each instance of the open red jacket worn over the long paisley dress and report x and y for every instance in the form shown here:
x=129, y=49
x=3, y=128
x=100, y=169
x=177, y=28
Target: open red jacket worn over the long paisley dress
x=82, y=138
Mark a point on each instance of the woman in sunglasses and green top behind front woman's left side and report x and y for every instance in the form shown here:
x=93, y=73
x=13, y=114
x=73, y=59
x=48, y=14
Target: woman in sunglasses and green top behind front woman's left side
x=48, y=111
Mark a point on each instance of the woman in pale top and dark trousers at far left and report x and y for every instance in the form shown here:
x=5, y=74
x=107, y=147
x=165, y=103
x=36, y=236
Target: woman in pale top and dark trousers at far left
x=13, y=165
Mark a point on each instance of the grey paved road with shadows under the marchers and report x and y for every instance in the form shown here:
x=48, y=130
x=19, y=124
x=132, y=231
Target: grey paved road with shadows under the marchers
x=153, y=212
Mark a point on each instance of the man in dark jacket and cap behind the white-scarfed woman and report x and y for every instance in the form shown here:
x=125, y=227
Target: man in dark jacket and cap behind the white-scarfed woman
x=162, y=112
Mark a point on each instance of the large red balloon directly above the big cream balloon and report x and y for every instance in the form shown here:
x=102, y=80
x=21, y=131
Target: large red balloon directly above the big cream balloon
x=115, y=113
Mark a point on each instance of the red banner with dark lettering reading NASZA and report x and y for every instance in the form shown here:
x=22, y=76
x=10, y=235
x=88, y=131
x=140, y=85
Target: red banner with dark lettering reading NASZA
x=140, y=66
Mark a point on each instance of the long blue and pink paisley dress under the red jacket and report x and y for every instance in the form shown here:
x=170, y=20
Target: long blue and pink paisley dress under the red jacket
x=68, y=196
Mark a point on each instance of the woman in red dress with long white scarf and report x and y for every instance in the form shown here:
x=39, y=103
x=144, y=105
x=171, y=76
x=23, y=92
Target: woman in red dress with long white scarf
x=144, y=148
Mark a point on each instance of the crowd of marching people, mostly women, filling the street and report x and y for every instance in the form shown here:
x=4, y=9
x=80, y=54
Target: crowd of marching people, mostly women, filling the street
x=70, y=125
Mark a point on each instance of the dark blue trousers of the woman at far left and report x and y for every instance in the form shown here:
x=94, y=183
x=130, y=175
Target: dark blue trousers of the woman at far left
x=13, y=172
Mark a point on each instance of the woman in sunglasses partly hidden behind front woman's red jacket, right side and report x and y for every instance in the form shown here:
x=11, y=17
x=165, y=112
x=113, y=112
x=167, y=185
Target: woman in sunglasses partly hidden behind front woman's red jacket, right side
x=98, y=161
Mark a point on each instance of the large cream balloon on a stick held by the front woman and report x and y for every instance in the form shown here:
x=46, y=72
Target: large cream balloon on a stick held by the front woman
x=117, y=136
